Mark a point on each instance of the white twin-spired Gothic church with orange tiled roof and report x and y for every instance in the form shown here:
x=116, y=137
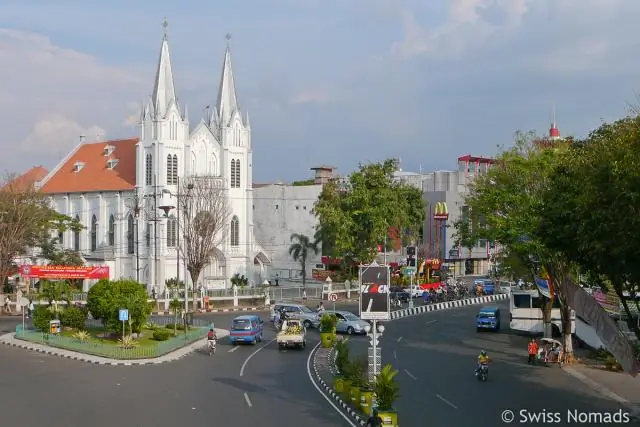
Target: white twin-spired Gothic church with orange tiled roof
x=101, y=184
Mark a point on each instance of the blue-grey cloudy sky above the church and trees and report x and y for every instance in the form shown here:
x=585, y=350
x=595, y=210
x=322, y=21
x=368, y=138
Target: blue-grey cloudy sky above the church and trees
x=338, y=82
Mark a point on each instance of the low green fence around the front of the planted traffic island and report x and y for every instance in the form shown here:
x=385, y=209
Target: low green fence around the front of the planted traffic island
x=113, y=350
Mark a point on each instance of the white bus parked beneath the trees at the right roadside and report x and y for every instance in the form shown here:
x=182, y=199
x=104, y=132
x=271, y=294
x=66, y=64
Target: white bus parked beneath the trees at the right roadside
x=525, y=314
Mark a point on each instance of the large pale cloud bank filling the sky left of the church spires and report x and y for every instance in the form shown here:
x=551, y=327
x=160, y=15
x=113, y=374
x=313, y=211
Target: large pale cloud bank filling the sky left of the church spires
x=51, y=95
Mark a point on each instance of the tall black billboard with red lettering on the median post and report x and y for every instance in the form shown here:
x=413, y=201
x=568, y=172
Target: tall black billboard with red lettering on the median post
x=374, y=292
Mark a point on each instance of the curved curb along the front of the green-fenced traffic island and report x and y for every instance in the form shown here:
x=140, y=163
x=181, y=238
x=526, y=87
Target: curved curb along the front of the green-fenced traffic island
x=10, y=340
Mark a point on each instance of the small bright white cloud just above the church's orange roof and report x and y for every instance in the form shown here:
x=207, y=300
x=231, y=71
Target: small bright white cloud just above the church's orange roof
x=57, y=134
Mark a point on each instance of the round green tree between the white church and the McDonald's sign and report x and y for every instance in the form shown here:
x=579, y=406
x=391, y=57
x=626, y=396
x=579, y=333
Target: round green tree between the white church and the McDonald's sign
x=355, y=216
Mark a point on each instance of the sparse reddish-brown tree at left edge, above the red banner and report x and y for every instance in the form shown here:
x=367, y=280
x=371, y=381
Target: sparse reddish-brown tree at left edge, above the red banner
x=25, y=217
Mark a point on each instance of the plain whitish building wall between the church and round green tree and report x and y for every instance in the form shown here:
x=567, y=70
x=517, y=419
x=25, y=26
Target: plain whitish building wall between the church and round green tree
x=279, y=211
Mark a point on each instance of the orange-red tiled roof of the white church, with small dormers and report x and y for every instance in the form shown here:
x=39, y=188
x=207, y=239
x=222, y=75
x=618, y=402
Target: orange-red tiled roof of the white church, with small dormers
x=95, y=175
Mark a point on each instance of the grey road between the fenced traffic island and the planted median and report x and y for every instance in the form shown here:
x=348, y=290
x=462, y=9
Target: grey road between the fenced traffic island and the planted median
x=239, y=386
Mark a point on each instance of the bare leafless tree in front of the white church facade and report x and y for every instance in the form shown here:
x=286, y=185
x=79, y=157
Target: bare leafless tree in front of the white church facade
x=204, y=224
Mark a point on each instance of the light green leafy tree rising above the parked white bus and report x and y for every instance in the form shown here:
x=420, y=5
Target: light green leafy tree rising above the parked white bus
x=505, y=206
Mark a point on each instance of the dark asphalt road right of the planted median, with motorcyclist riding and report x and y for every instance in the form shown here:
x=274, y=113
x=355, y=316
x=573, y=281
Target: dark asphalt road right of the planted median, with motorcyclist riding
x=435, y=355
